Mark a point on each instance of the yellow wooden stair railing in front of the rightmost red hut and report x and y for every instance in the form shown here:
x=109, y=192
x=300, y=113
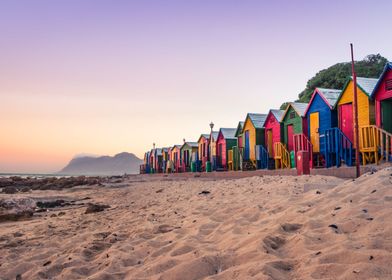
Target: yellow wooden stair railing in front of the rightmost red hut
x=375, y=144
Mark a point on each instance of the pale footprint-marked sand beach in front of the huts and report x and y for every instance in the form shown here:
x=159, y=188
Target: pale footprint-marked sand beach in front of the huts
x=308, y=227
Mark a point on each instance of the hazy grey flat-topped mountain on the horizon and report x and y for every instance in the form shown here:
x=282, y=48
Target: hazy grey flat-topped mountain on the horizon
x=103, y=165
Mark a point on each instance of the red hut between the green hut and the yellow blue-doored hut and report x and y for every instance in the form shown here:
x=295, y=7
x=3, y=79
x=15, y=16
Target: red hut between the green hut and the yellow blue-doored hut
x=273, y=130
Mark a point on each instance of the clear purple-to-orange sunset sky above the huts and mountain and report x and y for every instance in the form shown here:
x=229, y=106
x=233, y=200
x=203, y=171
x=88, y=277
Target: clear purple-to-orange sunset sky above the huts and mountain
x=103, y=77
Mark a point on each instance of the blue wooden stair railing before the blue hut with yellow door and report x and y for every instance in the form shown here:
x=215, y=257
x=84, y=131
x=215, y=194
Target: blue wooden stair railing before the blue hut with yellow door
x=336, y=148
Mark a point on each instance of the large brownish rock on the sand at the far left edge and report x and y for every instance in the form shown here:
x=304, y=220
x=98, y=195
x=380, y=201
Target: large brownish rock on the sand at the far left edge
x=16, y=209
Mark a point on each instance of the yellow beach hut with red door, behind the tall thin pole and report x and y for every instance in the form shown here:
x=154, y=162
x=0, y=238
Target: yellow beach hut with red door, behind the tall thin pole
x=366, y=115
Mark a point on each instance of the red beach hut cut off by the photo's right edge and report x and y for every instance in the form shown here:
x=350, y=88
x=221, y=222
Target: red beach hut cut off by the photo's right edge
x=382, y=95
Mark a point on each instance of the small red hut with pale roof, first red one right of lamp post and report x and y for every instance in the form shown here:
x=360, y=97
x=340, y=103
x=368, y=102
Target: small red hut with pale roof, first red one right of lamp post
x=225, y=142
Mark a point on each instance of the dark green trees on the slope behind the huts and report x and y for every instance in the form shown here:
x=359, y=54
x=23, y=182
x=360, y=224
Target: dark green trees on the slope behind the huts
x=335, y=76
